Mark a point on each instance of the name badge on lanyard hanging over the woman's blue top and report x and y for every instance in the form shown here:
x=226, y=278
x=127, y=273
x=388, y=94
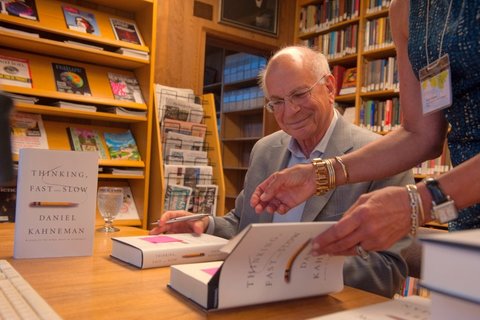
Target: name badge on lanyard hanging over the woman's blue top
x=436, y=85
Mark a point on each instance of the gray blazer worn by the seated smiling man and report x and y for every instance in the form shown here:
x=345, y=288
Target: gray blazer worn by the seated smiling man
x=383, y=272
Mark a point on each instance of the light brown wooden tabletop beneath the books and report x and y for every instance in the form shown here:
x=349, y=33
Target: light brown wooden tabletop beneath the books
x=99, y=287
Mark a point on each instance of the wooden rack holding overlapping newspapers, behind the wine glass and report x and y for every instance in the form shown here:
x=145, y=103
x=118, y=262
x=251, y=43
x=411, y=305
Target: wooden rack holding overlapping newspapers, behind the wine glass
x=186, y=163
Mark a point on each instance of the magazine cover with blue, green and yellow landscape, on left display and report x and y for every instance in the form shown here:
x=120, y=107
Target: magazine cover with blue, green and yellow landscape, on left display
x=122, y=145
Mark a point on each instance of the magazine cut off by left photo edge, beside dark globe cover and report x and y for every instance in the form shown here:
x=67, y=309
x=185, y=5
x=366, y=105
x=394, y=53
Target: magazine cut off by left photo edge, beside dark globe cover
x=15, y=72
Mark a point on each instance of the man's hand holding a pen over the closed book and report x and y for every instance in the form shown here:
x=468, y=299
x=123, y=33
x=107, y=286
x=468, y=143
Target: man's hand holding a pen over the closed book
x=196, y=226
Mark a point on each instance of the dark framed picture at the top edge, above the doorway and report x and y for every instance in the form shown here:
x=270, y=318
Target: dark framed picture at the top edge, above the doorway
x=255, y=15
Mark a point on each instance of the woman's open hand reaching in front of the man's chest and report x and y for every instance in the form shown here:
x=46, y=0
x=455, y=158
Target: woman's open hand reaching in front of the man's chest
x=285, y=189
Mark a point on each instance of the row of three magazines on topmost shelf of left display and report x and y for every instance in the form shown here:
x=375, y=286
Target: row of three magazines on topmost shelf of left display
x=76, y=18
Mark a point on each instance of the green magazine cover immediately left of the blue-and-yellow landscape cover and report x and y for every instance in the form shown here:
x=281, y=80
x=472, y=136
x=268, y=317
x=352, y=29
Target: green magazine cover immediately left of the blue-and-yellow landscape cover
x=82, y=139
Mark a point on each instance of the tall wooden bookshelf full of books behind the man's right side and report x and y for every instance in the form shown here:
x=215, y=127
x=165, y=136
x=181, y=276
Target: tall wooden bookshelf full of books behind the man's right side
x=356, y=34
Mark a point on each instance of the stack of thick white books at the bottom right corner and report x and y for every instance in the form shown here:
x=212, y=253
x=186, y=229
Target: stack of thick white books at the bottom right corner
x=450, y=266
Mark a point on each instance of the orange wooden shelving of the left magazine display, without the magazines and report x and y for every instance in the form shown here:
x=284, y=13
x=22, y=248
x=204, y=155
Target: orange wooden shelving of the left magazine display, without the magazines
x=98, y=56
